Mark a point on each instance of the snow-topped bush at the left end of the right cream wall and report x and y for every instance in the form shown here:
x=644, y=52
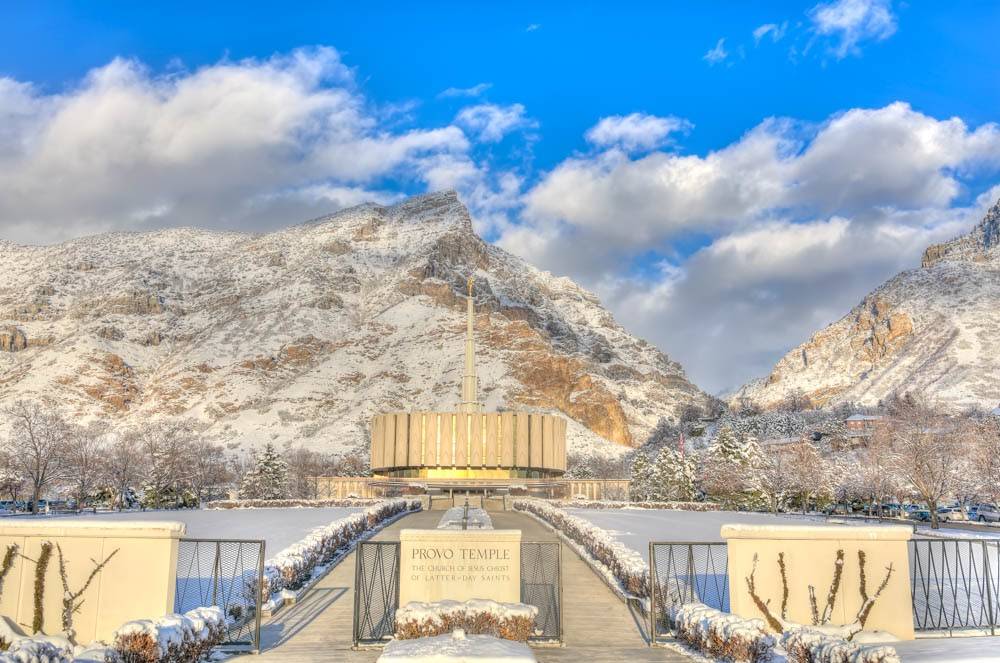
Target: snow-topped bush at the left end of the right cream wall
x=721, y=635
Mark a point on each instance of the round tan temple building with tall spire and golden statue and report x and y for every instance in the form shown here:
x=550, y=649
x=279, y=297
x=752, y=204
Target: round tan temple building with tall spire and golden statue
x=464, y=450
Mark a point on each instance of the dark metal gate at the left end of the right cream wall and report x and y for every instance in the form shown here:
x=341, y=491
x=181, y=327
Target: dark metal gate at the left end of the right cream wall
x=682, y=572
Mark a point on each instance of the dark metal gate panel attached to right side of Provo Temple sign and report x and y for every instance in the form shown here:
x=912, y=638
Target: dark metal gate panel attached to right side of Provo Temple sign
x=541, y=586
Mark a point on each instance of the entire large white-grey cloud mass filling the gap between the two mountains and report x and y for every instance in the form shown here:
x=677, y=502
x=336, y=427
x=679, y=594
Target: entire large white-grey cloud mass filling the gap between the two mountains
x=783, y=212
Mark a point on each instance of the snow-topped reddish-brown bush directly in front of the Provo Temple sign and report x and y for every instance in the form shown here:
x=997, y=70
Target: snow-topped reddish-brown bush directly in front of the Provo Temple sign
x=509, y=621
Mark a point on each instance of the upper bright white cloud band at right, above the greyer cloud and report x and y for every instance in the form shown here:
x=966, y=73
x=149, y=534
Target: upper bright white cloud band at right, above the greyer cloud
x=892, y=156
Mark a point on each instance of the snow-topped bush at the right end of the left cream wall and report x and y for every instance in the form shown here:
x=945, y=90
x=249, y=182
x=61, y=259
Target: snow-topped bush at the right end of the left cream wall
x=186, y=638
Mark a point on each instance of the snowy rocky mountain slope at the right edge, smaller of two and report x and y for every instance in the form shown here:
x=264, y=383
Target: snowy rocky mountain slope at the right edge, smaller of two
x=933, y=330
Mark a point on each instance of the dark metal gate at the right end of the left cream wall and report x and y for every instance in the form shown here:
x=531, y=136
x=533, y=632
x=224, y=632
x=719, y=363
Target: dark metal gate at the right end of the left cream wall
x=227, y=574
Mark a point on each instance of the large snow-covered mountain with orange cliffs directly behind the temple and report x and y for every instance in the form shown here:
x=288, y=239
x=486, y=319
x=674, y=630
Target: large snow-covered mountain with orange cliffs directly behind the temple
x=302, y=335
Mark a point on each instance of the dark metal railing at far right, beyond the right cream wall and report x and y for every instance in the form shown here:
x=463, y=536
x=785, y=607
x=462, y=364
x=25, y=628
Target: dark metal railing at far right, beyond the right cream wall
x=955, y=584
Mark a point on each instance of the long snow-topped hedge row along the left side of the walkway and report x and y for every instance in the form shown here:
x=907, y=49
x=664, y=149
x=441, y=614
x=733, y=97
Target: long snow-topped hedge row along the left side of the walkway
x=293, y=567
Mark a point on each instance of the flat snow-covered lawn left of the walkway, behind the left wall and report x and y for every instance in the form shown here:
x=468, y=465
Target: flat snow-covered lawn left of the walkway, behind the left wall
x=278, y=527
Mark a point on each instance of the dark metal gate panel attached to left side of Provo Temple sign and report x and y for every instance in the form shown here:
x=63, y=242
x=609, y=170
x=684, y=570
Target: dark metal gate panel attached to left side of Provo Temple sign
x=376, y=591
